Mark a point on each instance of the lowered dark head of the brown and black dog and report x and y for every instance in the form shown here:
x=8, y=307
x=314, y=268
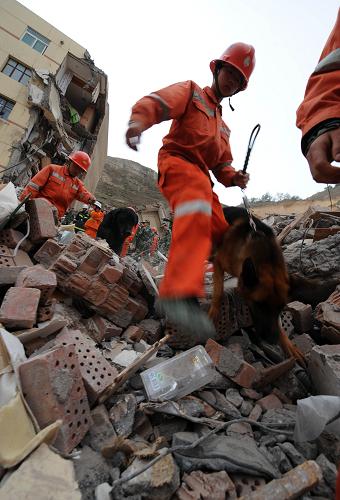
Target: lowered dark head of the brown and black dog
x=264, y=283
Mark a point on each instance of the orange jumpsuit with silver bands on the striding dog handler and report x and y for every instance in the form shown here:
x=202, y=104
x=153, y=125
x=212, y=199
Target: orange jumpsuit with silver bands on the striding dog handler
x=198, y=141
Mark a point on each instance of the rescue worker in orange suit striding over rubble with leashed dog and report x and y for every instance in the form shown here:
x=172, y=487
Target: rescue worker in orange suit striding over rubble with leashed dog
x=198, y=141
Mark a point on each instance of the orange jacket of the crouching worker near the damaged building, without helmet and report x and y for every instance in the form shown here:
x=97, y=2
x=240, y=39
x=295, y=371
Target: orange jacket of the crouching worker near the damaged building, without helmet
x=55, y=184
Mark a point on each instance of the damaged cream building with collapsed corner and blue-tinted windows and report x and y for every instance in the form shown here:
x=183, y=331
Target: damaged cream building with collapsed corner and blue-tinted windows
x=53, y=99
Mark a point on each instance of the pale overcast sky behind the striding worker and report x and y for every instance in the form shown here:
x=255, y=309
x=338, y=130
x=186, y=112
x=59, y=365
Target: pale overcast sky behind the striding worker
x=144, y=45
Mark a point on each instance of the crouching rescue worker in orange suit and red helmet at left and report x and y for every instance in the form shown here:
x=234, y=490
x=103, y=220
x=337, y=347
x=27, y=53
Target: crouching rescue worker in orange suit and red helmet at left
x=60, y=185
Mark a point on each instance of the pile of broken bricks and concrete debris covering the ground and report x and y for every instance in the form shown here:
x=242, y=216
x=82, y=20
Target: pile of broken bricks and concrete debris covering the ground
x=78, y=328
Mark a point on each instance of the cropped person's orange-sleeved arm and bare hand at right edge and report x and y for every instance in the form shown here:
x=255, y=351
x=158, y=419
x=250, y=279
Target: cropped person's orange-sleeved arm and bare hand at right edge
x=318, y=116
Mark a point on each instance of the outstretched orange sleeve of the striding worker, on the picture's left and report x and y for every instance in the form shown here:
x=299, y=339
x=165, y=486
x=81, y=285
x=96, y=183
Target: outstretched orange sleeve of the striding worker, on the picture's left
x=162, y=105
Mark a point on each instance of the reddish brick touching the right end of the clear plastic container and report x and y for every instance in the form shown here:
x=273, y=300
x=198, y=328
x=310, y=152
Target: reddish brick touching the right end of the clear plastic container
x=233, y=367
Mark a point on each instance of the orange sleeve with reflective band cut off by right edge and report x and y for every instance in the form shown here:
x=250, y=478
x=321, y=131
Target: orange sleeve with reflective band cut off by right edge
x=322, y=97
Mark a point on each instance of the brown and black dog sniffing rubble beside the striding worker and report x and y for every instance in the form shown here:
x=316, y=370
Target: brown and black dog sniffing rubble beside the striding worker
x=256, y=259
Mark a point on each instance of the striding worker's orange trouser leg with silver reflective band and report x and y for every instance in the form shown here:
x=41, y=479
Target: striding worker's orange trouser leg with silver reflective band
x=189, y=193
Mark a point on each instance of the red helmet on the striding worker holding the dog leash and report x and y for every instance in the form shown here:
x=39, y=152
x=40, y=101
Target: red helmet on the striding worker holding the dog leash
x=239, y=55
